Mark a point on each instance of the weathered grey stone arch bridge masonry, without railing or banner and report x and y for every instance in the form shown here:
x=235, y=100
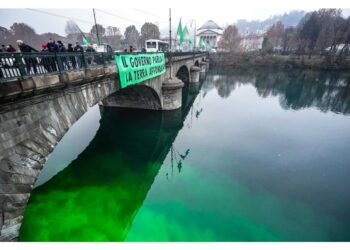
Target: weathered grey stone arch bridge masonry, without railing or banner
x=37, y=110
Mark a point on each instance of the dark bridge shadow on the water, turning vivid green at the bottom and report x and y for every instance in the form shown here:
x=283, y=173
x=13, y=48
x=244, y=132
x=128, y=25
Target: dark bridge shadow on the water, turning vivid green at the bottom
x=97, y=196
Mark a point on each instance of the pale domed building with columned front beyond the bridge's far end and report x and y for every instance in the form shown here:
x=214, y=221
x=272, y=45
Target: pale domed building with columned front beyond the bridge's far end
x=210, y=32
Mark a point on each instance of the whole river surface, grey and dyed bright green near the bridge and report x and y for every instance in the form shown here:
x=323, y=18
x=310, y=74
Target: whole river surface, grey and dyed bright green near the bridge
x=252, y=156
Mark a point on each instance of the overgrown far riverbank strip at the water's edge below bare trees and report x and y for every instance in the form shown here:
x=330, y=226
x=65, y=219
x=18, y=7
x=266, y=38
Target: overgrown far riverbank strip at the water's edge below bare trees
x=278, y=61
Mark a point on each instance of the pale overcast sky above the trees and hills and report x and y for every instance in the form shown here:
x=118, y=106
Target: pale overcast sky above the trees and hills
x=222, y=12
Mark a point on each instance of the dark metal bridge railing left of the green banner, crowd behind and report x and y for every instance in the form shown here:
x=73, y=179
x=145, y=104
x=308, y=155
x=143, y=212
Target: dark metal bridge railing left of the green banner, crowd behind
x=20, y=65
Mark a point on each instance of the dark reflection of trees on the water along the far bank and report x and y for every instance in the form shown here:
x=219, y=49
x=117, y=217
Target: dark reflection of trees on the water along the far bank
x=297, y=89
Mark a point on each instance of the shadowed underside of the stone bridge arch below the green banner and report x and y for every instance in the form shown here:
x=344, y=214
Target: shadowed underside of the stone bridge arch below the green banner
x=135, y=96
